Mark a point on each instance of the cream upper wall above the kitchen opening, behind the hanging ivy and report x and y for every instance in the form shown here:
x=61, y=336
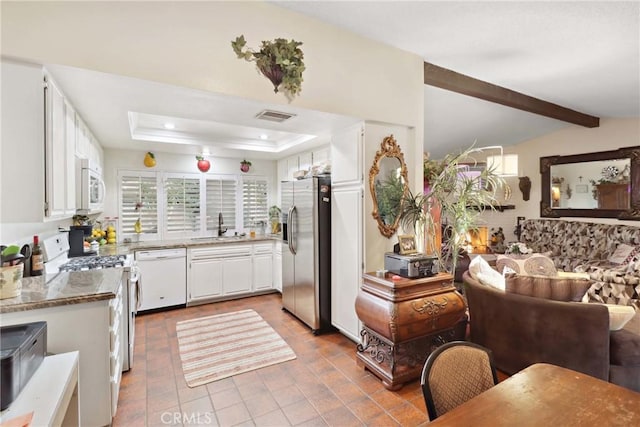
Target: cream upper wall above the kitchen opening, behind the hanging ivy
x=188, y=44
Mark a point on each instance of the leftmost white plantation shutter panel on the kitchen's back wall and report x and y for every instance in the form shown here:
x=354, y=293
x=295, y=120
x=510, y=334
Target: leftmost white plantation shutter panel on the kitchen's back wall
x=139, y=200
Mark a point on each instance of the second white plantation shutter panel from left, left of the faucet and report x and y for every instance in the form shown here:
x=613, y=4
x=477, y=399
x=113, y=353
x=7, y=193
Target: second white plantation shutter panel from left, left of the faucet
x=182, y=205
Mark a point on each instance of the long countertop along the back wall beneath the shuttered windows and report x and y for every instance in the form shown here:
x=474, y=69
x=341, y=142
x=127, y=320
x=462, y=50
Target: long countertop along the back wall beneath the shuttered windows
x=127, y=248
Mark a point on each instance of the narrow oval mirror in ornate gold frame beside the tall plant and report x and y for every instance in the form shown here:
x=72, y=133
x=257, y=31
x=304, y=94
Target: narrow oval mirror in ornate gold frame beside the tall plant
x=388, y=184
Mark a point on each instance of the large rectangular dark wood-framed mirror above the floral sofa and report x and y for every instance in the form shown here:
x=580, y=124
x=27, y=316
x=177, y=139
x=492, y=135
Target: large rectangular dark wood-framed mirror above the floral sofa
x=604, y=184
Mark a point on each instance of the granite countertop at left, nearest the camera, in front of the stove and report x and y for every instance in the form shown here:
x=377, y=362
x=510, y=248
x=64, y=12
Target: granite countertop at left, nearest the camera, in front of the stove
x=64, y=289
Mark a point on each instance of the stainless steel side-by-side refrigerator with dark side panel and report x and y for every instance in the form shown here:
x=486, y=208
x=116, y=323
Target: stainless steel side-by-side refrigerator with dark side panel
x=306, y=251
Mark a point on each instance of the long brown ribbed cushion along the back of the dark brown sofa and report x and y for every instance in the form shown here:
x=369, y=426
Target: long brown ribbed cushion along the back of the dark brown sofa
x=553, y=288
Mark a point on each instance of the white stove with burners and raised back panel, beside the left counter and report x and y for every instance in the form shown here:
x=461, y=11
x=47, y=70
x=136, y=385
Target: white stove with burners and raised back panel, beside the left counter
x=56, y=257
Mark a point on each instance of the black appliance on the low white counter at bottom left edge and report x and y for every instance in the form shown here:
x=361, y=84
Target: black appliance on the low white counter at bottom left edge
x=22, y=349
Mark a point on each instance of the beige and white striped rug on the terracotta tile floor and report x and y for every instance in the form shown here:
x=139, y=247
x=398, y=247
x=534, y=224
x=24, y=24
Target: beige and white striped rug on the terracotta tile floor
x=216, y=347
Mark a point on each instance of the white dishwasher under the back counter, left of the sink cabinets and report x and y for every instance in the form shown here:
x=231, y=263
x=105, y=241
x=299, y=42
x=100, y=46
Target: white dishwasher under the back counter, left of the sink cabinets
x=163, y=278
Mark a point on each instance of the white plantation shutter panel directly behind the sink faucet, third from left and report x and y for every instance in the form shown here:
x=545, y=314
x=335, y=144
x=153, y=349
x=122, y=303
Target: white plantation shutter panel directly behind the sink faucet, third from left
x=221, y=198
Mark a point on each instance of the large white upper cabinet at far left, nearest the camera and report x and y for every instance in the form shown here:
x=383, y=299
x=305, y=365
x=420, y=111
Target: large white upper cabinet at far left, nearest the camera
x=39, y=147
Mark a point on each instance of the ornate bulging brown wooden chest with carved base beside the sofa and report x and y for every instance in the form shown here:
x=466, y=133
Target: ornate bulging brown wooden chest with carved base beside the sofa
x=404, y=321
